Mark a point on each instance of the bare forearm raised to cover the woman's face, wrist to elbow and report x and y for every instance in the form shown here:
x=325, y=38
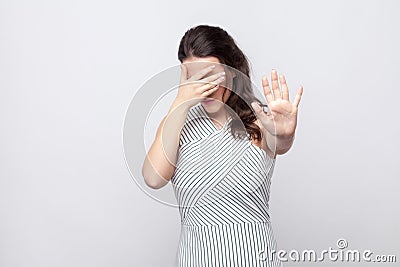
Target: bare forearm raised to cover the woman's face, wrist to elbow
x=159, y=164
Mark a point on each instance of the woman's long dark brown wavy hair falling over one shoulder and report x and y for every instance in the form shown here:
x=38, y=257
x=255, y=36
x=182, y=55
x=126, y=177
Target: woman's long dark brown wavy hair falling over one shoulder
x=206, y=41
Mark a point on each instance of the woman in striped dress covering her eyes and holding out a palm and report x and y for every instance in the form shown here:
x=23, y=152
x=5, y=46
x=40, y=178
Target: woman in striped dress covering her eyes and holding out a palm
x=219, y=153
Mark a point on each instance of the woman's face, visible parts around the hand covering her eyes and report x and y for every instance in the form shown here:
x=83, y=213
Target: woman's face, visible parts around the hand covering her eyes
x=214, y=101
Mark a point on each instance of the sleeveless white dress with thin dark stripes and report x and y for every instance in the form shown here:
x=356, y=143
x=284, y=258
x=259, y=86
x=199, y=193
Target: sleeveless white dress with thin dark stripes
x=222, y=186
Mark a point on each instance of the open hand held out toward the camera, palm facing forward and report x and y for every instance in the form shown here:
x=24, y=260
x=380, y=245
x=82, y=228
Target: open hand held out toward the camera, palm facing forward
x=281, y=118
